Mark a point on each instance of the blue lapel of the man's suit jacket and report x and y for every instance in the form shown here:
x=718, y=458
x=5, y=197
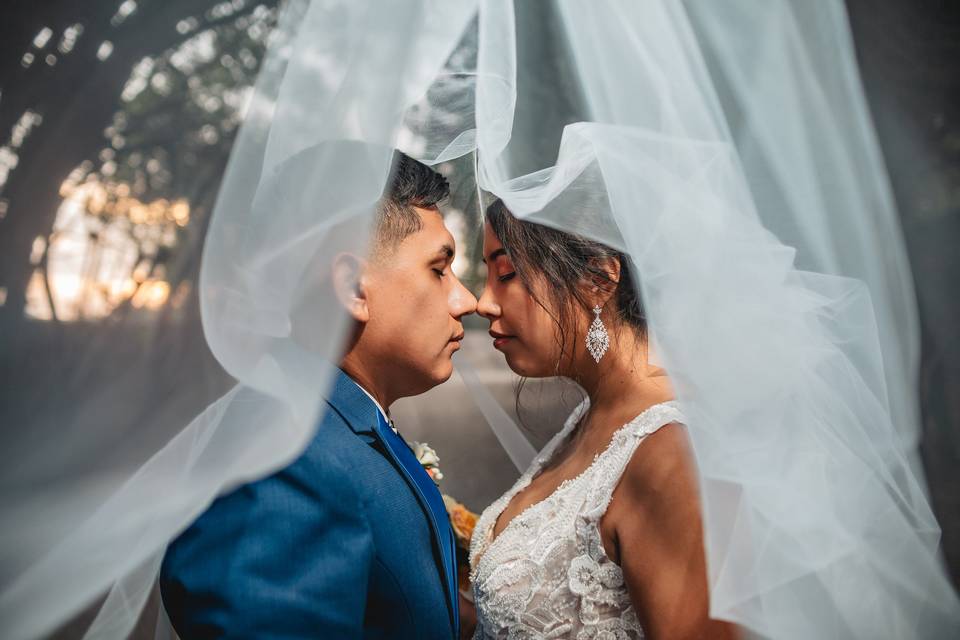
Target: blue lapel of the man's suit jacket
x=364, y=418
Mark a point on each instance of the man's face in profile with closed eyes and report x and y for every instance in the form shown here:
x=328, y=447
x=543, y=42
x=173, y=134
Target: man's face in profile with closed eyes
x=415, y=307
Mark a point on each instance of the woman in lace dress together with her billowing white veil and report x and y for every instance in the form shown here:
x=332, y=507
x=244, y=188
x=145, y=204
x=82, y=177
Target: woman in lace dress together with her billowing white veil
x=741, y=175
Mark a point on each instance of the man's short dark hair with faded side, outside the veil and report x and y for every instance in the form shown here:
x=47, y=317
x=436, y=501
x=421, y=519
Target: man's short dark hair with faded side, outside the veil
x=412, y=184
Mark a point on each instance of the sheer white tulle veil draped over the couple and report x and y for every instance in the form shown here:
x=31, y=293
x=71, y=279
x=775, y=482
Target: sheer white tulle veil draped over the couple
x=726, y=147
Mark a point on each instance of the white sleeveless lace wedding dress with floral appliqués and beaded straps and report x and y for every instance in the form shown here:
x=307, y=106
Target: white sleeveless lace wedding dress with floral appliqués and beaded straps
x=547, y=574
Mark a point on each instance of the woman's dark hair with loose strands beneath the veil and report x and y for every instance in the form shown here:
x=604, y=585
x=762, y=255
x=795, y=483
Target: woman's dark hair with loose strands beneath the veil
x=563, y=263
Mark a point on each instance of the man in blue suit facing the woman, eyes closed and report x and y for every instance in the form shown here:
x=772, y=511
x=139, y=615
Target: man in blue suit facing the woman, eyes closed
x=352, y=539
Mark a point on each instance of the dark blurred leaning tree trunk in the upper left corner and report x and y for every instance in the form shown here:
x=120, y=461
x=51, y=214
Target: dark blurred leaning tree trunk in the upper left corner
x=77, y=97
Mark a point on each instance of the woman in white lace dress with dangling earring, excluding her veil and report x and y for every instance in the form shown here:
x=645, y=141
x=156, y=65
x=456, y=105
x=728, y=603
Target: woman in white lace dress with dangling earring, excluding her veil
x=602, y=535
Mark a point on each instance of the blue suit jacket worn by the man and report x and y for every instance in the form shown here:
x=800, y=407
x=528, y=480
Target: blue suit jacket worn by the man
x=340, y=544
